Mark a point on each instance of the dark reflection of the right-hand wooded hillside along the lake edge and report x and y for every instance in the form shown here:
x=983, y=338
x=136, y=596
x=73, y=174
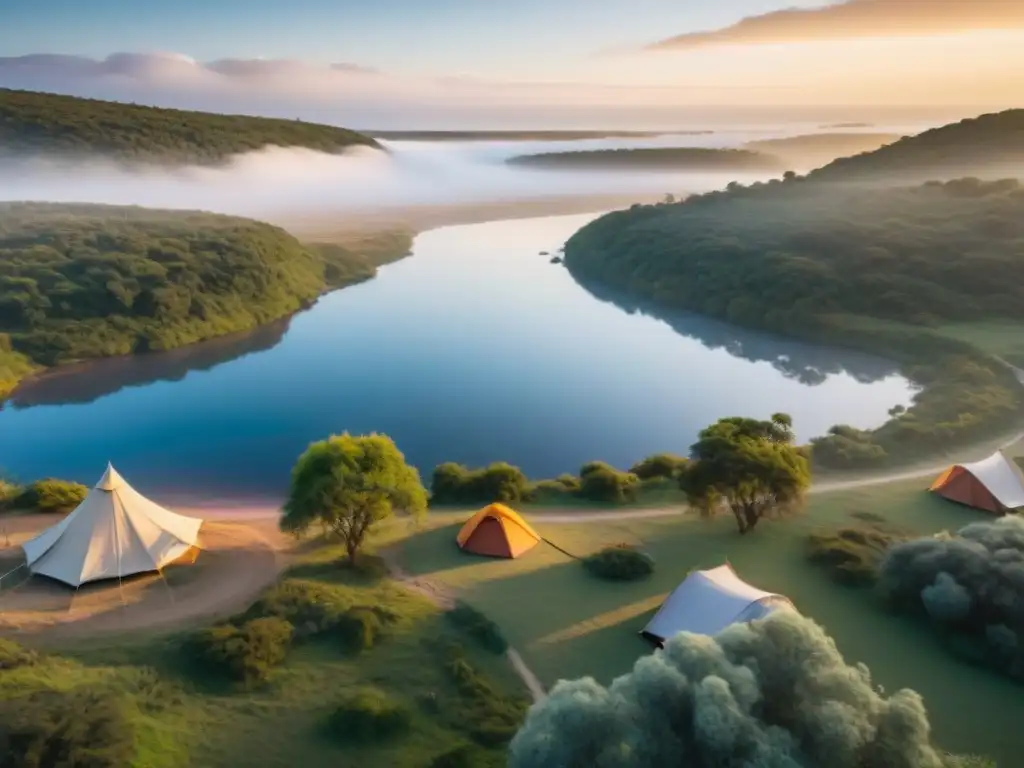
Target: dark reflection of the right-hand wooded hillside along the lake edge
x=808, y=364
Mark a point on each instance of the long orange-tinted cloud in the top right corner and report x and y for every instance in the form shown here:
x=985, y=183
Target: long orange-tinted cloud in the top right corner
x=858, y=20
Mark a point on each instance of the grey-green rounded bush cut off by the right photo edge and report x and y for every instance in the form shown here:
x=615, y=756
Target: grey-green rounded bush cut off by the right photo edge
x=970, y=585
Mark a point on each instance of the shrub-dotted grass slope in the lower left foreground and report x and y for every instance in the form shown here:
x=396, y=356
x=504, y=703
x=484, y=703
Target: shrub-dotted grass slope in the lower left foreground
x=184, y=715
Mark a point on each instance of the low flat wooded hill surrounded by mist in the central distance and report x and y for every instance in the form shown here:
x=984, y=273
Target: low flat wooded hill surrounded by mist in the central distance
x=653, y=159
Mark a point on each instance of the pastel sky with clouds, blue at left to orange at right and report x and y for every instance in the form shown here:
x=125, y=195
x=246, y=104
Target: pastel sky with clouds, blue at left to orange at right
x=255, y=55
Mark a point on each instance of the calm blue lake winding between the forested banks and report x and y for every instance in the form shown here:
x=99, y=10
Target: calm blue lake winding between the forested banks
x=476, y=350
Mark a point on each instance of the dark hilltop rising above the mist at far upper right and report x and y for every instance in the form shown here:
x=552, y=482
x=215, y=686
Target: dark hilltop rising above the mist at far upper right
x=990, y=146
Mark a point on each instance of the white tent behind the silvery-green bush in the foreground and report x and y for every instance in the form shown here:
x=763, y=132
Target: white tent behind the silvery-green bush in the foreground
x=708, y=602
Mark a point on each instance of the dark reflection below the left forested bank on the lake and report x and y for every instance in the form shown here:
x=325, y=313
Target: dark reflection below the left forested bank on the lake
x=89, y=382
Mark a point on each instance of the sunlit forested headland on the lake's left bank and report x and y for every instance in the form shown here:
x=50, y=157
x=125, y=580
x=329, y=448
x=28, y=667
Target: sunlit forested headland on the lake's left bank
x=79, y=282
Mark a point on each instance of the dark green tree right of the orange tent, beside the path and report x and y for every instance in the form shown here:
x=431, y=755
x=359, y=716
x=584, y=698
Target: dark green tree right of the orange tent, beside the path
x=752, y=467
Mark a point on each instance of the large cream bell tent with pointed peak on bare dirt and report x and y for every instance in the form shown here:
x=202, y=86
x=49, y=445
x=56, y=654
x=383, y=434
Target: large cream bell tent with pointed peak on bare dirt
x=114, y=533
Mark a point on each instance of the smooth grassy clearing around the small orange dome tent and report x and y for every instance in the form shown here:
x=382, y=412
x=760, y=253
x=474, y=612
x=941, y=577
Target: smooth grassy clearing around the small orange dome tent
x=567, y=624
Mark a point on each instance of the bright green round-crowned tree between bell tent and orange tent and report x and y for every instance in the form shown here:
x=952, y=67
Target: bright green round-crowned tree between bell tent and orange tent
x=349, y=484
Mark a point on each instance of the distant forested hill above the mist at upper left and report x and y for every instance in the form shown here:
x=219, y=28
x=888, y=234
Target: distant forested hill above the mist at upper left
x=47, y=124
